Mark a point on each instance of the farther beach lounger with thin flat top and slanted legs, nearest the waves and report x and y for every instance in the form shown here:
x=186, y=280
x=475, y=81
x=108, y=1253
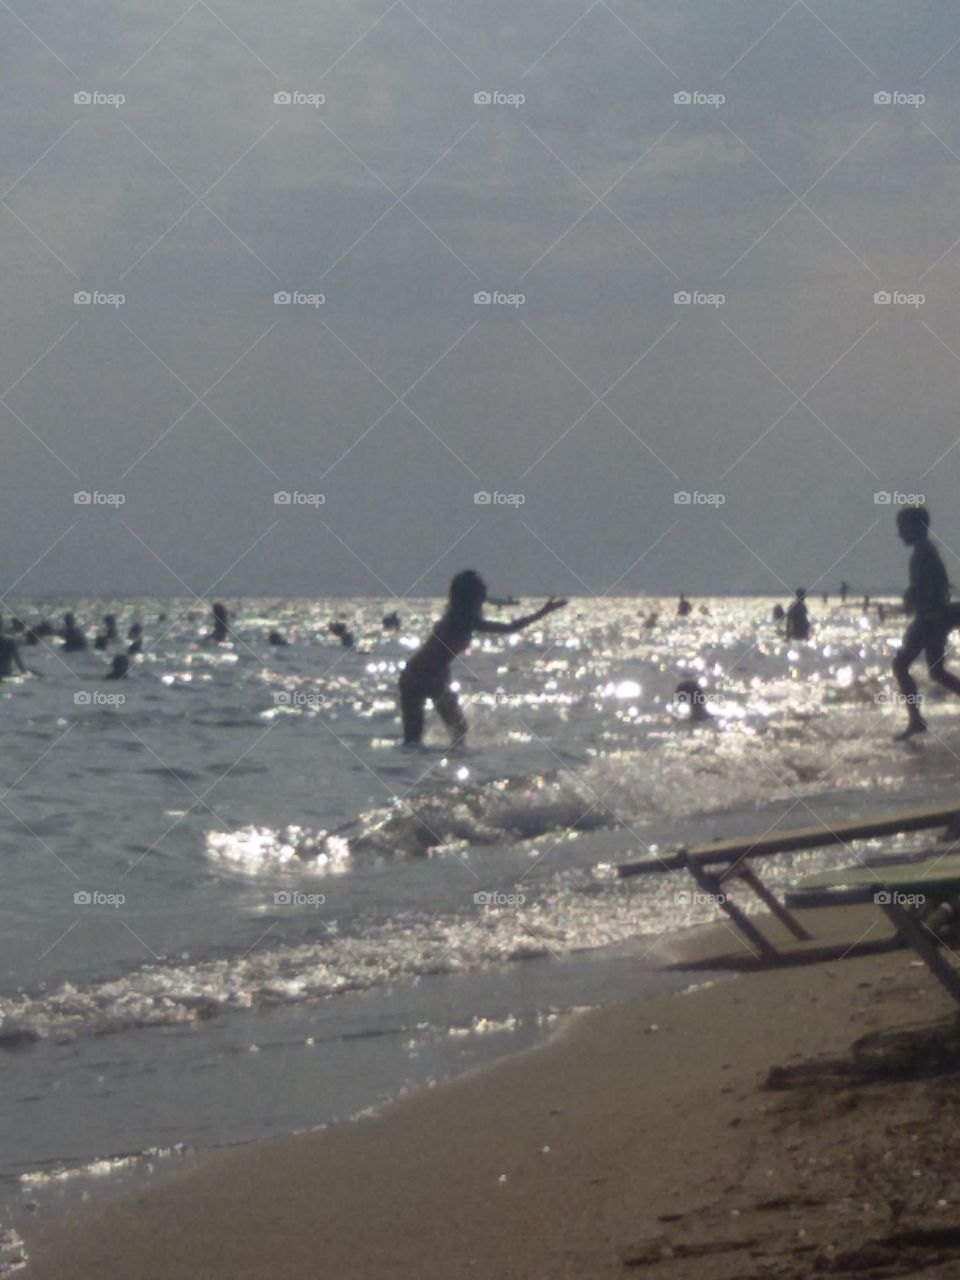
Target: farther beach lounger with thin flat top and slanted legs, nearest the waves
x=715, y=865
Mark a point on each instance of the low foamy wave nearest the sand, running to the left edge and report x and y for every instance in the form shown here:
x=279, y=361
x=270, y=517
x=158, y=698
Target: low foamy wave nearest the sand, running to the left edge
x=412, y=945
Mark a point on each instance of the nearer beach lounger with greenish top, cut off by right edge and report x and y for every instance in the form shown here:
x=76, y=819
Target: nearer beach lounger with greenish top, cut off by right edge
x=908, y=893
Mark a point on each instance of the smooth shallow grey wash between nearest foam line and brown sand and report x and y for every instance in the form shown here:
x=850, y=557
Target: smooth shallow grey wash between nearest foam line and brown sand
x=415, y=1032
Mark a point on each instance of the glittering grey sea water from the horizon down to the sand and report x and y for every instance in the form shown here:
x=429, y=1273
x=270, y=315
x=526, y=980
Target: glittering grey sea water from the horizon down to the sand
x=235, y=906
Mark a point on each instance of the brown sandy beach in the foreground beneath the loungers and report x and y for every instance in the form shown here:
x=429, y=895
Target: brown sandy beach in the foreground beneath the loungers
x=644, y=1140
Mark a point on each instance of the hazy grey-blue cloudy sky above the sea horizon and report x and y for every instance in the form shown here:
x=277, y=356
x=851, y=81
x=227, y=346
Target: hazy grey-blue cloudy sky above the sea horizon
x=342, y=298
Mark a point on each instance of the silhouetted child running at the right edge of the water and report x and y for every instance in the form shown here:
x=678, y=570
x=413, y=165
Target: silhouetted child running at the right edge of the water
x=929, y=600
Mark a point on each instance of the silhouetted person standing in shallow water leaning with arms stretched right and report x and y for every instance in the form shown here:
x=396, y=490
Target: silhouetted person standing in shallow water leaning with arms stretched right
x=428, y=674
